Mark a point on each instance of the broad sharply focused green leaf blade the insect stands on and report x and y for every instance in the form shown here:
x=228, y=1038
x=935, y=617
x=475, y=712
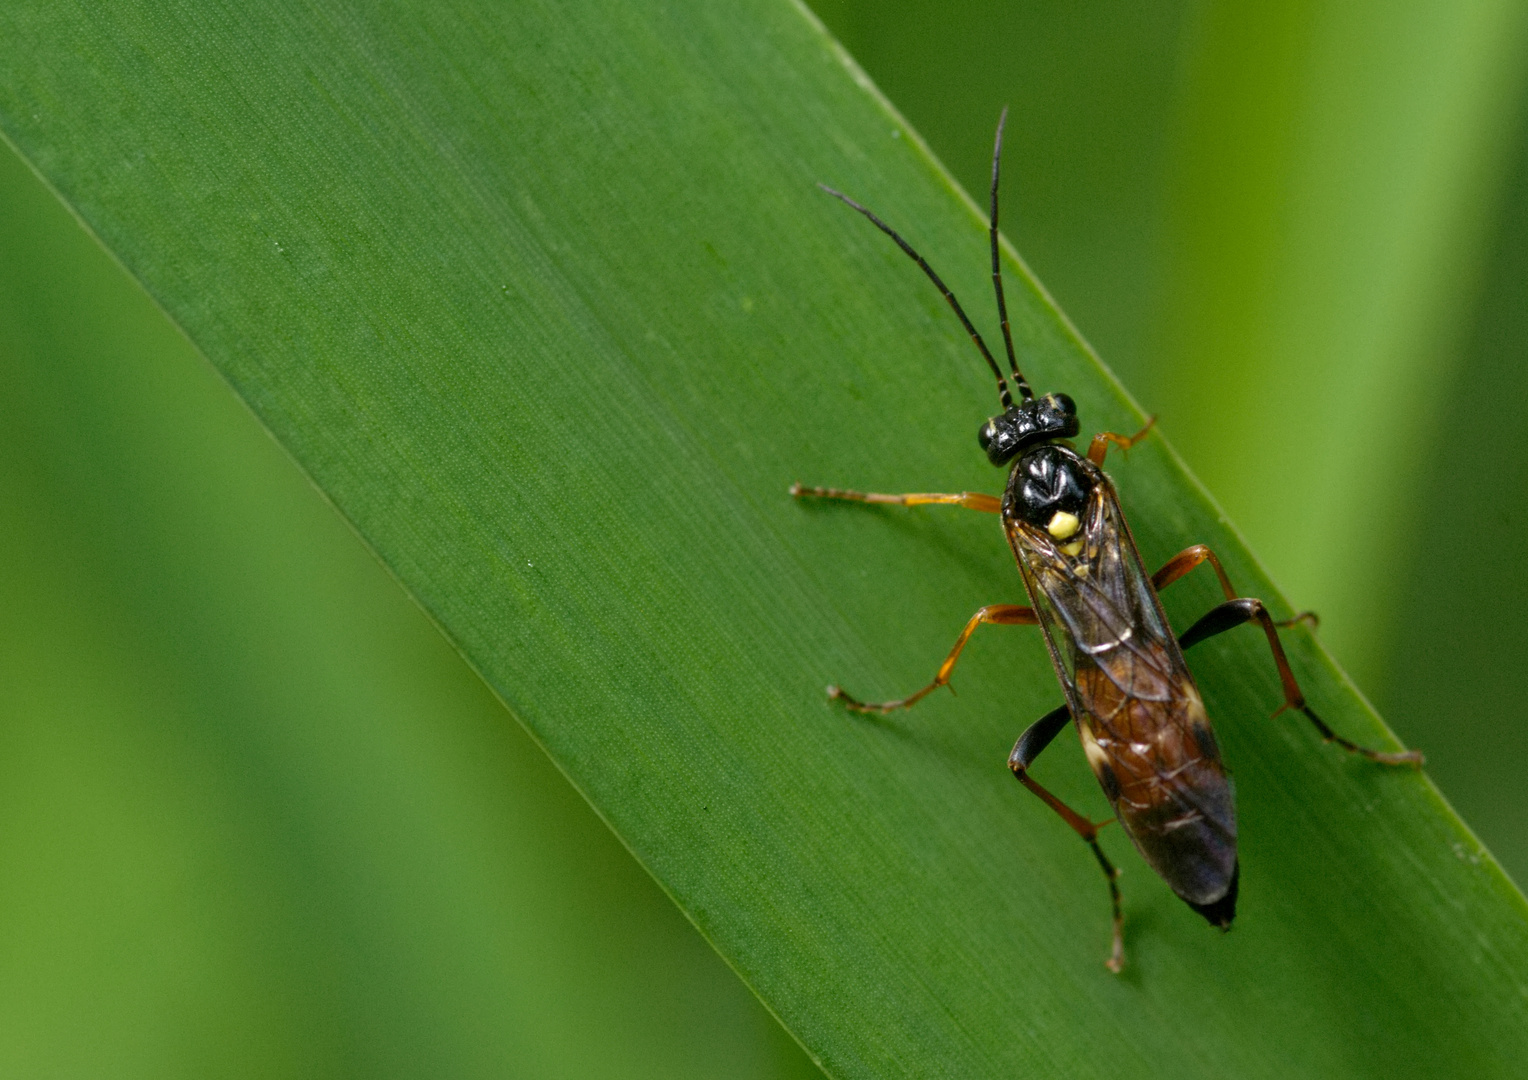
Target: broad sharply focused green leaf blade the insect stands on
x=548, y=306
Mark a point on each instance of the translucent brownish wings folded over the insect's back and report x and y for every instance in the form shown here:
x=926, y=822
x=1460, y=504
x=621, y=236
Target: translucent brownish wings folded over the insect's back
x=1139, y=714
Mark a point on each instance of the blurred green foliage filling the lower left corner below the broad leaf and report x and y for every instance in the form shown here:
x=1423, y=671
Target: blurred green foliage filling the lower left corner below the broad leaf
x=257, y=818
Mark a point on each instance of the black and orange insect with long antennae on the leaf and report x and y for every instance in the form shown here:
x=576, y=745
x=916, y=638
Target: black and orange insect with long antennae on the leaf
x=1127, y=687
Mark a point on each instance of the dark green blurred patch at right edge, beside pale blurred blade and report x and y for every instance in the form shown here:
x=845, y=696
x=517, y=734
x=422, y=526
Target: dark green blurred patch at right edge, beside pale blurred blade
x=1452, y=679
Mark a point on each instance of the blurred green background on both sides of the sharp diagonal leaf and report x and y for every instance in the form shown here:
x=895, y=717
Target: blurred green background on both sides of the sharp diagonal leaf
x=257, y=820
